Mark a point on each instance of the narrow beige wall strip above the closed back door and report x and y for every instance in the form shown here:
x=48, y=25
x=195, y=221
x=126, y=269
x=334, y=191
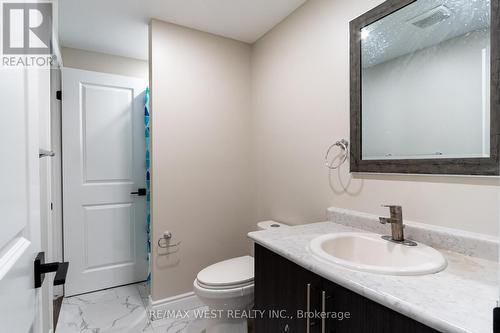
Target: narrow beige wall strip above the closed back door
x=105, y=63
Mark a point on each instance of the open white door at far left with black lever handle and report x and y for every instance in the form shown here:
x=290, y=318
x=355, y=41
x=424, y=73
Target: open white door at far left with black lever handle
x=23, y=94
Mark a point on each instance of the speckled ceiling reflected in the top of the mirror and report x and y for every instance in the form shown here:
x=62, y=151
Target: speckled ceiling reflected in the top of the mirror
x=395, y=35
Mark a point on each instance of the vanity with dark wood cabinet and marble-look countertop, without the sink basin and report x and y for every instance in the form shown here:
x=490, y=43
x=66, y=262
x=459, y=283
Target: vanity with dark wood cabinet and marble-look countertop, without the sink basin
x=290, y=280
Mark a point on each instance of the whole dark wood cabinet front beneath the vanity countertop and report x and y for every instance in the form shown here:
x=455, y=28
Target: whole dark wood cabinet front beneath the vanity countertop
x=285, y=292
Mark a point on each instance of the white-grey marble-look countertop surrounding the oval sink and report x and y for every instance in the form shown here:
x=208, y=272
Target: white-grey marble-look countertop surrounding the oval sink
x=460, y=298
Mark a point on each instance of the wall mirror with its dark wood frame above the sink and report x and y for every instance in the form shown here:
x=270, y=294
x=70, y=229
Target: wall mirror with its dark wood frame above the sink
x=425, y=88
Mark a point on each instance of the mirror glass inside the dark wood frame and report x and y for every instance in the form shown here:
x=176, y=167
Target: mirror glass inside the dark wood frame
x=426, y=82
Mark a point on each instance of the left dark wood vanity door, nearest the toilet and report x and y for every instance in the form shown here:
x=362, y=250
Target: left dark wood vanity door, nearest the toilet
x=282, y=289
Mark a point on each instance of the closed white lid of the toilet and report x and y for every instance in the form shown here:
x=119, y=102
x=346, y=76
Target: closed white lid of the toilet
x=236, y=271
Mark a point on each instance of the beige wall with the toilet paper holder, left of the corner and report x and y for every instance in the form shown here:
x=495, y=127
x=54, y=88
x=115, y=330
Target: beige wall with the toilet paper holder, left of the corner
x=201, y=155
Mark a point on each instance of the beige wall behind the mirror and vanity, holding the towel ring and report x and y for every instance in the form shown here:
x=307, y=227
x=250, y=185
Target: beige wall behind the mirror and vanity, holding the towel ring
x=301, y=105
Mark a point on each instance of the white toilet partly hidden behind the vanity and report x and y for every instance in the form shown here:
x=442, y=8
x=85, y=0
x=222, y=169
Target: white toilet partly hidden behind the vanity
x=227, y=287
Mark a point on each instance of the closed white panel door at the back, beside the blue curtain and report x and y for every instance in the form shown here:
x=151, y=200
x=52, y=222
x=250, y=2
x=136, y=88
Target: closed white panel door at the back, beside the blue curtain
x=103, y=162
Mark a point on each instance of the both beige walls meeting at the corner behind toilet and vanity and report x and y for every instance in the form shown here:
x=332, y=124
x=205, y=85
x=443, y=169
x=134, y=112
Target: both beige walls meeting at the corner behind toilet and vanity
x=218, y=104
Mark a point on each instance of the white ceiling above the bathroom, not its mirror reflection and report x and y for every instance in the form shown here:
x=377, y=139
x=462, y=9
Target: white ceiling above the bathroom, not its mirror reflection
x=120, y=27
